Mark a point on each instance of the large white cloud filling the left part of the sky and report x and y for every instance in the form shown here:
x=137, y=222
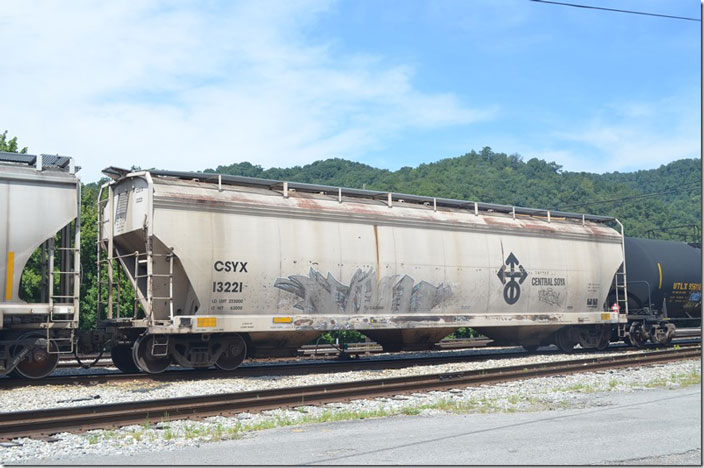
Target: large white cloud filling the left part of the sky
x=179, y=86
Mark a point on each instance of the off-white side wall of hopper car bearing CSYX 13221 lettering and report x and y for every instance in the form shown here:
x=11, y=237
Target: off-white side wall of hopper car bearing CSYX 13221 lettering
x=253, y=260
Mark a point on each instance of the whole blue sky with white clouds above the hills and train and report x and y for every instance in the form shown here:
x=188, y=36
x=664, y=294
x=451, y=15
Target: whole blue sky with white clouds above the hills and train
x=189, y=85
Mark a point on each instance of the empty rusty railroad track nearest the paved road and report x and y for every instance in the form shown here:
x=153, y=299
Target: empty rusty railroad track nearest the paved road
x=45, y=422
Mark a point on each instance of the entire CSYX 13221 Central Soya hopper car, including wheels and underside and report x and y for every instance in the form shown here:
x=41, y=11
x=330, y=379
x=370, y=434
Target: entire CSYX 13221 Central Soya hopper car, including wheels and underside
x=224, y=263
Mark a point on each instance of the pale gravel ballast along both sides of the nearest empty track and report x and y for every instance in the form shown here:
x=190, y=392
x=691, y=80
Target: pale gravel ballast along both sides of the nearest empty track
x=537, y=394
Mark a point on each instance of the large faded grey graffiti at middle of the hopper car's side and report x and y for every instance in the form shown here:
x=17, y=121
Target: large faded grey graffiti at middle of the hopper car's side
x=393, y=294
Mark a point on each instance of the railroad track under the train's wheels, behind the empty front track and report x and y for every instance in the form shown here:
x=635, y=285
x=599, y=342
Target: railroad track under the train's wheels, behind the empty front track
x=294, y=368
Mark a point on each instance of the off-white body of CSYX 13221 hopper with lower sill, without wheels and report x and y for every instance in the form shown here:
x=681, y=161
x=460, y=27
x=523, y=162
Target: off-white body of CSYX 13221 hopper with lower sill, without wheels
x=314, y=259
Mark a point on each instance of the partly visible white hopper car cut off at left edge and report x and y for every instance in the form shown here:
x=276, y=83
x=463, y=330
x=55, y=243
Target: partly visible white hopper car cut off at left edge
x=39, y=212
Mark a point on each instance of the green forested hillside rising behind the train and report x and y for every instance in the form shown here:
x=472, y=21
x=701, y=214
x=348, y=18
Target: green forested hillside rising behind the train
x=645, y=201
